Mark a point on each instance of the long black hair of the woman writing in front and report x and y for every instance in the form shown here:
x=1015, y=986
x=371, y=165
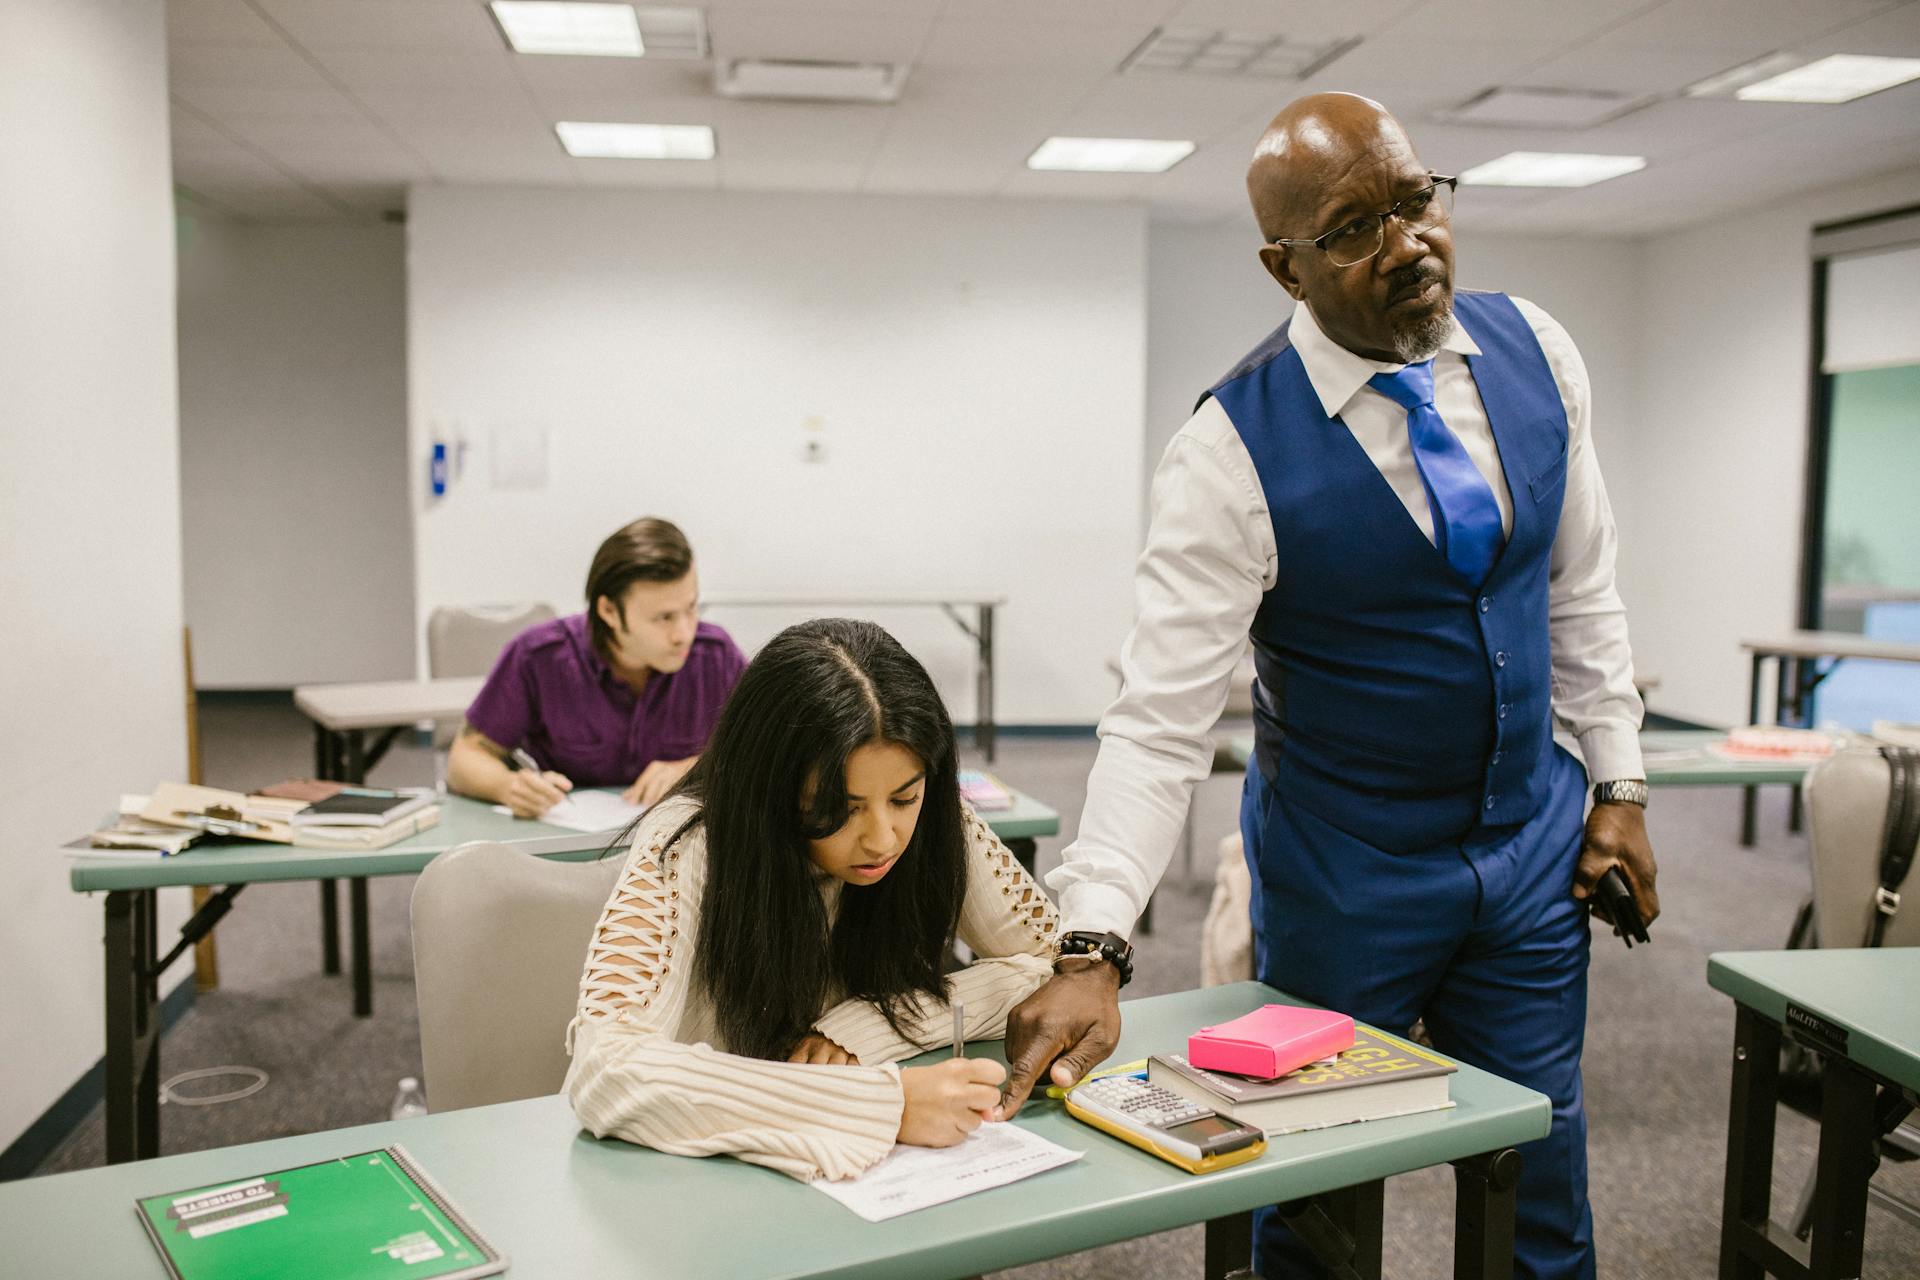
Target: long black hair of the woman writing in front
x=773, y=778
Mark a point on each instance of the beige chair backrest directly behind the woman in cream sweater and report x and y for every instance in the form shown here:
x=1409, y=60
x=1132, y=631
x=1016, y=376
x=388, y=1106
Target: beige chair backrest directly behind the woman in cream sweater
x=500, y=939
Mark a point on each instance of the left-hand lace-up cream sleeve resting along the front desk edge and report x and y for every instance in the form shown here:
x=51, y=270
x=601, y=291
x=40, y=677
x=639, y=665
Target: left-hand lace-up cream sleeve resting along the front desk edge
x=635, y=1078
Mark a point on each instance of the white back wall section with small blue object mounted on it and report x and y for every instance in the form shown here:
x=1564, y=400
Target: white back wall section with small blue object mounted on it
x=976, y=371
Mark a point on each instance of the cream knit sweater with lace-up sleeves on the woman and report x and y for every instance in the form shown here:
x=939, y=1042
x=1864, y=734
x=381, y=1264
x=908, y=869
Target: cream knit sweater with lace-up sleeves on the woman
x=644, y=1058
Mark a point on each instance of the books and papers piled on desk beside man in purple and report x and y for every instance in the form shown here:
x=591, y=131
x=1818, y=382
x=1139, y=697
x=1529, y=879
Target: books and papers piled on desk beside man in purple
x=304, y=815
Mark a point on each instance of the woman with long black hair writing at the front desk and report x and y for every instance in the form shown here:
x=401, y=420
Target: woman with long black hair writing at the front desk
x=779, y=936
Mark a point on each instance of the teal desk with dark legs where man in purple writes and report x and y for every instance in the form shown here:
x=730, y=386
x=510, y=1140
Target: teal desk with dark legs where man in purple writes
x=133, y=962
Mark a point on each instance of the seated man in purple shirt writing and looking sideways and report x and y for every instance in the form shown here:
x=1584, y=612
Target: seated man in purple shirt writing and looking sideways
x=621, y=696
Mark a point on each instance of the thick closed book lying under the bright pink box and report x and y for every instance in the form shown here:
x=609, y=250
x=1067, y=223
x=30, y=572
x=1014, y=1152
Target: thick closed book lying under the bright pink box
x=1380, y=1078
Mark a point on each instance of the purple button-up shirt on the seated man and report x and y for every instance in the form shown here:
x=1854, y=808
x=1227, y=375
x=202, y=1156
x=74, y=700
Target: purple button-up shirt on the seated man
x=552, y=694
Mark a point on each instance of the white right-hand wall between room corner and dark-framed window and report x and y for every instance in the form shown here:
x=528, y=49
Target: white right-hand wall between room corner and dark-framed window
x=1723, y=440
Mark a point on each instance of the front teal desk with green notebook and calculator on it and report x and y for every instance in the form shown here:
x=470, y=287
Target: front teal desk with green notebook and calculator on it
x=562, y=1204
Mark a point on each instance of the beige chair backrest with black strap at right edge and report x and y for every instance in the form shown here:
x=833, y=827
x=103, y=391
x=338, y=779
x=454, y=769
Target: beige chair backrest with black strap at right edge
x=1846, y=824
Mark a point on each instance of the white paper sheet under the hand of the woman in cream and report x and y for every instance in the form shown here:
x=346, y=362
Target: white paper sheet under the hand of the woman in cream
x=921, y=1177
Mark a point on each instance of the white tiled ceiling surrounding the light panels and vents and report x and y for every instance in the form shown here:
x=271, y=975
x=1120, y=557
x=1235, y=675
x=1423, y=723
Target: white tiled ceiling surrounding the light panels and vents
x=327, y=110
